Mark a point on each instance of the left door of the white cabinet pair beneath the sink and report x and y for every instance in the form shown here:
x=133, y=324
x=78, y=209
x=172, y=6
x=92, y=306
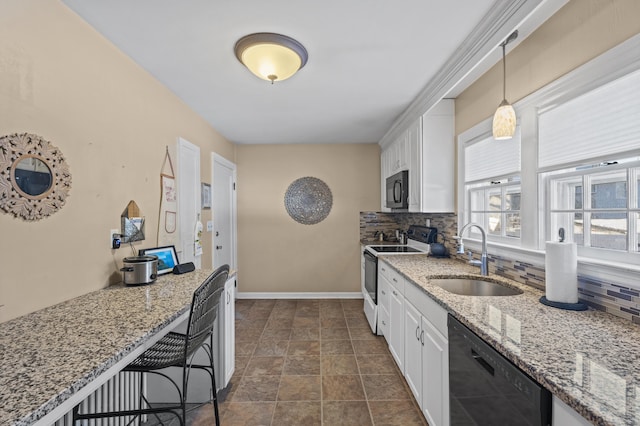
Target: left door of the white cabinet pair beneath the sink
x=413, y=350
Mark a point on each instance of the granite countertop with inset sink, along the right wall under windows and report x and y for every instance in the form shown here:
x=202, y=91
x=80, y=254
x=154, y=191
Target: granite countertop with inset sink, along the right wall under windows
x=588, y=359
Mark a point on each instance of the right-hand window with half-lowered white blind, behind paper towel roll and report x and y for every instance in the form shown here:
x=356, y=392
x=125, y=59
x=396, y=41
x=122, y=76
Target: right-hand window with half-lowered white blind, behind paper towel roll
x=591, y=196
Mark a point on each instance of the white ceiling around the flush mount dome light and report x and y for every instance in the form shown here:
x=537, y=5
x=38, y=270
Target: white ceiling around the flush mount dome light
x=368, y=59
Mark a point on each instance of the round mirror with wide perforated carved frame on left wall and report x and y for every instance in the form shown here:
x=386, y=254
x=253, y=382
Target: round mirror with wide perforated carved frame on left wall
x=34, y=177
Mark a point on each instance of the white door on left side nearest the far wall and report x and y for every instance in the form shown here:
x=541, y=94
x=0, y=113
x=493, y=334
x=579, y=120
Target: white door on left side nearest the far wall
x=223, y=207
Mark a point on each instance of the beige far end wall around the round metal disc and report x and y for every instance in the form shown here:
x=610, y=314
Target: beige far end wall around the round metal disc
x=277, y=254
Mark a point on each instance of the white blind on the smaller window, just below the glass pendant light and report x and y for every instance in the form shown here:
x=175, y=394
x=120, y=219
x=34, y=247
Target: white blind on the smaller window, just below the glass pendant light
x=489, y=158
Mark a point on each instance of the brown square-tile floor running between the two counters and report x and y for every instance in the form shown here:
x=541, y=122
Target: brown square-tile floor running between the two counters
x=311, y=362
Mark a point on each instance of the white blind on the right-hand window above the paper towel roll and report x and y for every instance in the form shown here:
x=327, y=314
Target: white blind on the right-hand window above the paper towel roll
x=600, y=123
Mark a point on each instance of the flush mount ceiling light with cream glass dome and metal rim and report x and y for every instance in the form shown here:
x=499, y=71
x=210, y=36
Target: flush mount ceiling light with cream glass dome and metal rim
x=272, y=57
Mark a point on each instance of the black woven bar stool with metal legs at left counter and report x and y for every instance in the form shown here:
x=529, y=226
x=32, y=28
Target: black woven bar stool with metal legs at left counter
x=176, y=350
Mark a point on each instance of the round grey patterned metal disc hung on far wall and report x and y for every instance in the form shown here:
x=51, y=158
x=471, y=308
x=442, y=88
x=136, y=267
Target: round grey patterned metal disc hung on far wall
x=308, y=200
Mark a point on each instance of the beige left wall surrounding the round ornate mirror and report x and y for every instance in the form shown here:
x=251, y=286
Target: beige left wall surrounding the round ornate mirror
x=112, y=121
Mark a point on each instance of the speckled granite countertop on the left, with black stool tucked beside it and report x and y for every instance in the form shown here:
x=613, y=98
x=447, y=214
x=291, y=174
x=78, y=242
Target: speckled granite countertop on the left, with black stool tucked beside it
x=49, y=355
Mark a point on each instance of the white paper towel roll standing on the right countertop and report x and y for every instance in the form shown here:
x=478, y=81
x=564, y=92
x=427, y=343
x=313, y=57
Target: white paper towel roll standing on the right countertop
x=561, y=270
